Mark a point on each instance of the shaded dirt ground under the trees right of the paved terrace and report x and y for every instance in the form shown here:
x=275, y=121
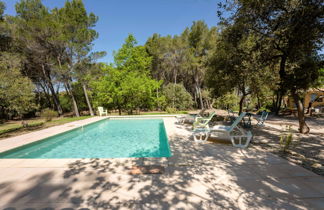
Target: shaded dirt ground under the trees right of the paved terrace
x=305, y=150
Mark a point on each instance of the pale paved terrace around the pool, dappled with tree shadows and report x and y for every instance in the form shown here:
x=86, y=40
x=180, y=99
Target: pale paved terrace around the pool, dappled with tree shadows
x=197, y=176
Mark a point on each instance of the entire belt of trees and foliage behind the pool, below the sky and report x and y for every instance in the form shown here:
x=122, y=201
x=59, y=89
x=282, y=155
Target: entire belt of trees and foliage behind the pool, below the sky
x=254, y=52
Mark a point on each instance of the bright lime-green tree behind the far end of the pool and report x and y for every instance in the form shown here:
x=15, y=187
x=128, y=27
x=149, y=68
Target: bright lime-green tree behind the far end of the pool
x=127, y=84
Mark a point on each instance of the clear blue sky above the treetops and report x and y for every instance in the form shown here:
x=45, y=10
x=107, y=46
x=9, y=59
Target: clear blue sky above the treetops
x=118, y=18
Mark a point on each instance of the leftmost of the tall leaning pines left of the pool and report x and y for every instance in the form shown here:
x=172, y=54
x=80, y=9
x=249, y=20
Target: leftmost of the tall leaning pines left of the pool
x=32, y=18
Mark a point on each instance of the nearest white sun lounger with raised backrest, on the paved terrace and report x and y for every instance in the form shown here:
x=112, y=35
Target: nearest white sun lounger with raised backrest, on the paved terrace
x=238, y=136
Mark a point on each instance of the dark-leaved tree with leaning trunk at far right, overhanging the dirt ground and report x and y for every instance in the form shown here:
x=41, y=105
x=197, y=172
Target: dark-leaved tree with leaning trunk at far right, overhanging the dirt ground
x=292, y=32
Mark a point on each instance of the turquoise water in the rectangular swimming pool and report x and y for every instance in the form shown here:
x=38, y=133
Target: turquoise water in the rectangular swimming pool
x=103, y=139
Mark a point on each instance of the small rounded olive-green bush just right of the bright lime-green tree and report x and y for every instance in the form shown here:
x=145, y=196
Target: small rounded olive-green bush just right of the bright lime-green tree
x=177, y=97
